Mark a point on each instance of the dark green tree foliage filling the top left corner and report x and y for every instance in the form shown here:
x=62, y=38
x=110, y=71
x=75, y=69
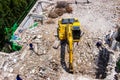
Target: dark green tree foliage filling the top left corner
x=10, y=11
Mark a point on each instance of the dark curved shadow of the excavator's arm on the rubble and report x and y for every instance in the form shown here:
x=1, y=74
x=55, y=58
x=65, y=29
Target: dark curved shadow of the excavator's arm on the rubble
x=62, y=56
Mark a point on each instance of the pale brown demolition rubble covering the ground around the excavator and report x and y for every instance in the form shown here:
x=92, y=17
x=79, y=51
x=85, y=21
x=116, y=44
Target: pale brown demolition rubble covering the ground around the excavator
x=46, y=63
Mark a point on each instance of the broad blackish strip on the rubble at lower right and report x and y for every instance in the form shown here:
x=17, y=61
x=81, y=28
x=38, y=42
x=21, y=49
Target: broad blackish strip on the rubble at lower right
x=102, y=63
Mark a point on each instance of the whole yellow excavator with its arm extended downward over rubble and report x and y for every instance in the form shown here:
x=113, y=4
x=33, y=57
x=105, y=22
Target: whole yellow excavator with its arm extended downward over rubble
x=69, y=30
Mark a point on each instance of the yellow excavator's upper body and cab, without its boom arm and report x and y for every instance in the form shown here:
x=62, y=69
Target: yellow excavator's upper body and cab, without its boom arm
x=76, y=31
